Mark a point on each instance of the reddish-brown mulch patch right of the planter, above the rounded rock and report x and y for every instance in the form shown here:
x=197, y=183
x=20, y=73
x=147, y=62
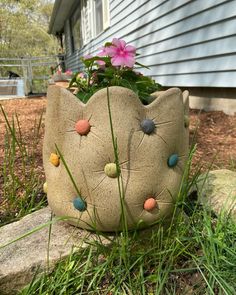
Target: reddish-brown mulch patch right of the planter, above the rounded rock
x=215, y=136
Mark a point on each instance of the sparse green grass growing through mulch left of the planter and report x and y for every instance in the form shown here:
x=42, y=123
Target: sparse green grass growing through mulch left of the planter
x=21, y=184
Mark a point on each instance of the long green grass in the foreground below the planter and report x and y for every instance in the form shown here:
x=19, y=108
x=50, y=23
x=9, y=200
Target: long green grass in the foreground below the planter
x=195, y=256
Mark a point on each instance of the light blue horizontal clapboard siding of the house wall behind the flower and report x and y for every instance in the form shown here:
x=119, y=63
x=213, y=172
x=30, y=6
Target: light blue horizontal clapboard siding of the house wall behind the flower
x=185, y=43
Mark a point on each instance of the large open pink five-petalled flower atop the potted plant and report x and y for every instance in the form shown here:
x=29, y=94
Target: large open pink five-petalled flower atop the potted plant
x=121, y=54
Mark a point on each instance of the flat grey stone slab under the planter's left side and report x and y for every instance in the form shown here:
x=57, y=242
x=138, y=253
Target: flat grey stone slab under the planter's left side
x=20, y=260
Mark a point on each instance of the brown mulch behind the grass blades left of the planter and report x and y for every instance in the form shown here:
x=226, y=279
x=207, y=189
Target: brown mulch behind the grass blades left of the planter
x=29, y=112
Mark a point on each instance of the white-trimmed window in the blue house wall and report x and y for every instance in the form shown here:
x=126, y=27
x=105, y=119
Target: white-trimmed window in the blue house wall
x=90, y=19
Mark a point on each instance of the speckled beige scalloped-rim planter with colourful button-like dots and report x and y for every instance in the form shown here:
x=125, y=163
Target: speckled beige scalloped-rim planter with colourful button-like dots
x=153, y=148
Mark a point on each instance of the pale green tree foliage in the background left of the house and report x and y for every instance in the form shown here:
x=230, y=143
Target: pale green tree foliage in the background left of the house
x=23, y=29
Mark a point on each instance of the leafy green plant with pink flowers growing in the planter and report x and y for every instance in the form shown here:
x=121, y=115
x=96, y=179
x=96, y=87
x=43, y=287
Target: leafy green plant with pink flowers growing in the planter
x=113, y=66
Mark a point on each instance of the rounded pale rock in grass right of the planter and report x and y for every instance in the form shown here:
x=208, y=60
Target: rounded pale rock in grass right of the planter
x=217, y=190
